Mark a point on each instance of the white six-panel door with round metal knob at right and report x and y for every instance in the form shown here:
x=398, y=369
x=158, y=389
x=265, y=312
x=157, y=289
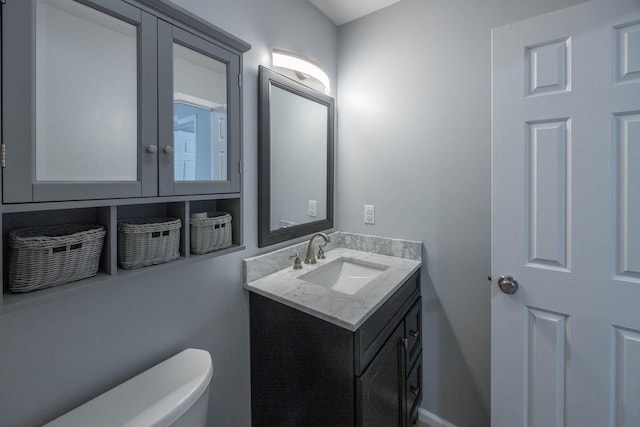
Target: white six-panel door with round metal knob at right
x=566, y=218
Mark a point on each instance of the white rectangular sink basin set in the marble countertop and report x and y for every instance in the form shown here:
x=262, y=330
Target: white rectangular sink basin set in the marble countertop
x=345, y=275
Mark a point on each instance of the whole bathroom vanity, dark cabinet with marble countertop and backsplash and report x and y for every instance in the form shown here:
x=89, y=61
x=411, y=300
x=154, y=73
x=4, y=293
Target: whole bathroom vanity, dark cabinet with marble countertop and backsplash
x=327, y=352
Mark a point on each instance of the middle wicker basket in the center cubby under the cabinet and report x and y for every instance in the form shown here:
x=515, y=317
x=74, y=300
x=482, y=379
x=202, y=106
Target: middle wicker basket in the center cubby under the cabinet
x=148, y=241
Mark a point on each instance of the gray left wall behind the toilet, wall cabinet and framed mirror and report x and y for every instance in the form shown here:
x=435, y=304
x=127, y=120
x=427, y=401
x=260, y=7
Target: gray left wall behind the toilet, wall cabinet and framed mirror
x=55, y=356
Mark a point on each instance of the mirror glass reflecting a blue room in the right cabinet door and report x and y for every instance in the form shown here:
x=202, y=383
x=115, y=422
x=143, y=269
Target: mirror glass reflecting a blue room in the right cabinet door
x=199, y=122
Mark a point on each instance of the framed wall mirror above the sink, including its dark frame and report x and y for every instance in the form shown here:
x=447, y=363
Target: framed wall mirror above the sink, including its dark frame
x=295, y=159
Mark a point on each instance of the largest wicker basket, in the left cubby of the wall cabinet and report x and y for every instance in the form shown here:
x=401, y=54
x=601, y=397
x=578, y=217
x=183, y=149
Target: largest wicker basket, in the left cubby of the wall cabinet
x=49, y=256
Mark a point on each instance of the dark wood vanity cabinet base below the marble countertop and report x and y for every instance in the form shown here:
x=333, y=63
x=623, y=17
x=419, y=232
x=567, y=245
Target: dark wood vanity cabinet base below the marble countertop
x=307, y=371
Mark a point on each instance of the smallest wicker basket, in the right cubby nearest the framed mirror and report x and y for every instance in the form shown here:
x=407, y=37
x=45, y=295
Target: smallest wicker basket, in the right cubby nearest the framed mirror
x=211, y=233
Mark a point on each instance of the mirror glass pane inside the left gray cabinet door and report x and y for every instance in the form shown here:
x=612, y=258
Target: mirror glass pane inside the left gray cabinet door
x=82, y=56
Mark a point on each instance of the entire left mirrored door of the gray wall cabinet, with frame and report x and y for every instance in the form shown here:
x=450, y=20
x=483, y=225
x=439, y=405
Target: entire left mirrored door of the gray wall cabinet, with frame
x=79, y=97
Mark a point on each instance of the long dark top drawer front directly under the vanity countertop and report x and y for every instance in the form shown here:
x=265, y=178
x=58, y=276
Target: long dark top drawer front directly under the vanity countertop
x=371, y=336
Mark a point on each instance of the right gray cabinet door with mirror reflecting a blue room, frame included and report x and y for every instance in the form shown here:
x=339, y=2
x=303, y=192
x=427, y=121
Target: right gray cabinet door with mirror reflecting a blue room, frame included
x=198, y=110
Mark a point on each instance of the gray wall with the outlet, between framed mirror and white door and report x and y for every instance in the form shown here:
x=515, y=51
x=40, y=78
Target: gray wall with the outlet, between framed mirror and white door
x=414, y=139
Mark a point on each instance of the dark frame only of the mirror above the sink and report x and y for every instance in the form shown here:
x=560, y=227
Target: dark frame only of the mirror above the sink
x=266, y=236
